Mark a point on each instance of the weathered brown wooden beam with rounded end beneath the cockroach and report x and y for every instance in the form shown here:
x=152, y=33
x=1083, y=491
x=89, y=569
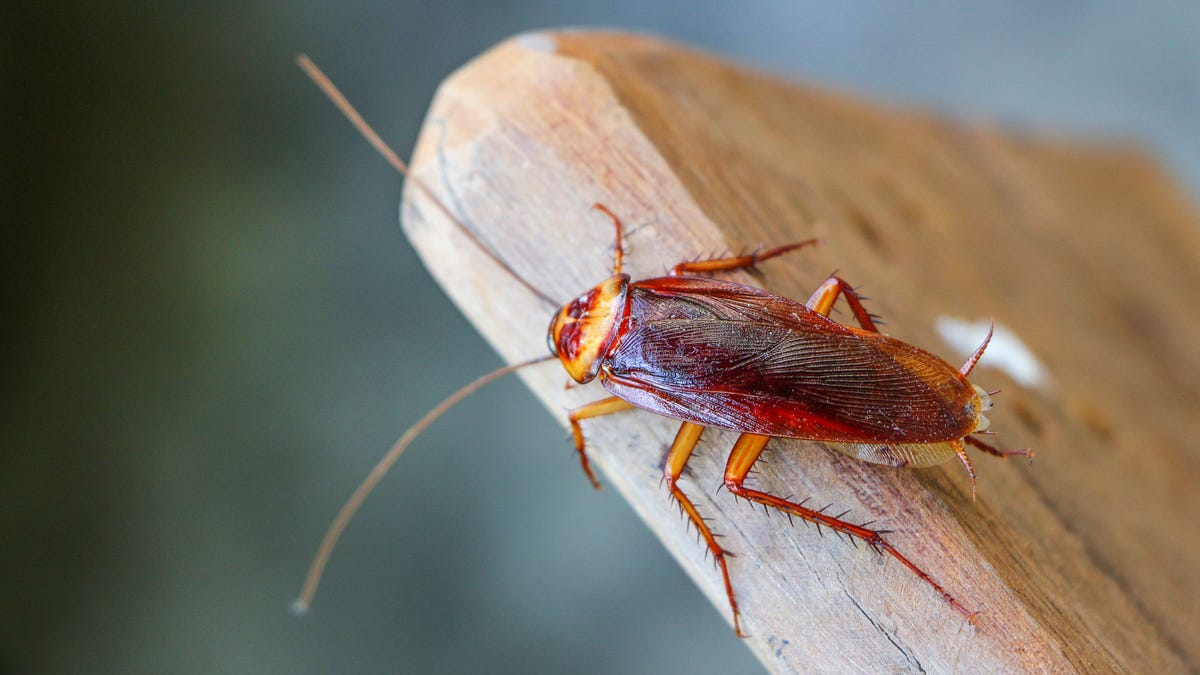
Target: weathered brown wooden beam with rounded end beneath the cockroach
x=1087, y=560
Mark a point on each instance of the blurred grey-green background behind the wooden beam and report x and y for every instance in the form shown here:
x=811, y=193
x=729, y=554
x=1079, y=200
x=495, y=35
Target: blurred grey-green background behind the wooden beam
x=215, y=326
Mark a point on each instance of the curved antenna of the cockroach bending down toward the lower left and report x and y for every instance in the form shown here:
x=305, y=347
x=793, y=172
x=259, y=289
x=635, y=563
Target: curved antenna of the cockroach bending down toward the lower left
x=352, y=505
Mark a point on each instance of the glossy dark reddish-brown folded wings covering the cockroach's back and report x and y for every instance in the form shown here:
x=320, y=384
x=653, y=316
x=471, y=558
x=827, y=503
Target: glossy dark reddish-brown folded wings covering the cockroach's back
x=734, y=357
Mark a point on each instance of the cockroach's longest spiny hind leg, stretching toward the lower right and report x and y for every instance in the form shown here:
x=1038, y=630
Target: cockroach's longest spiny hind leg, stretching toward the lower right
x=743, y=457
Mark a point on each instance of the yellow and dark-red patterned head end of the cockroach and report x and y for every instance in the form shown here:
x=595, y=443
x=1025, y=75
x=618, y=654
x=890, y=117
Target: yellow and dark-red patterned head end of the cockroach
x=583, y=331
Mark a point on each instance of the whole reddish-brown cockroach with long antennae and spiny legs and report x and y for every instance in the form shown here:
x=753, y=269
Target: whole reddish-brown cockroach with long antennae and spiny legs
x=713, y=354
